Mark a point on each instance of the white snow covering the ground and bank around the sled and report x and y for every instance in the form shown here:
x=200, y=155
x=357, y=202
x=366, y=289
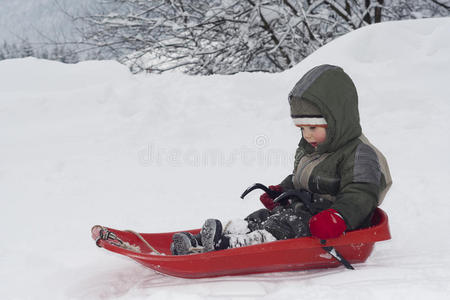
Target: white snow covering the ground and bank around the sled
x=90, y=144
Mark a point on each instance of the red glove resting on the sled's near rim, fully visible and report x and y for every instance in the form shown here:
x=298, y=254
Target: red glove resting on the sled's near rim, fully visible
x=327, y=224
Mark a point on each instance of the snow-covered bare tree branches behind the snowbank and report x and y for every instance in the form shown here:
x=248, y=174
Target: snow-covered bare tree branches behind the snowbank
x=229, y=36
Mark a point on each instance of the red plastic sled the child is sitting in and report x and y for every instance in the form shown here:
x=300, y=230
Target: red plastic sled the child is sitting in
x=287, y=255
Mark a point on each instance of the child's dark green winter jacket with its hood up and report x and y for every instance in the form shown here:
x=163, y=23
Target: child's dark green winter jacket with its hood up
x=346, y=169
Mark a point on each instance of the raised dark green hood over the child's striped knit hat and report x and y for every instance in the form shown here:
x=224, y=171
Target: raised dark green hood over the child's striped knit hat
x=332, y=91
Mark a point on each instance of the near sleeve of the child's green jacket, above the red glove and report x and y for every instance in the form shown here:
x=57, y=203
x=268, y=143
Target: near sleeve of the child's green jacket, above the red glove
x=360, y=186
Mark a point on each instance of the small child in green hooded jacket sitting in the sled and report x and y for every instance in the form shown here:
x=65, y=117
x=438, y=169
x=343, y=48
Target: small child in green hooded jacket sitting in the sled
x=345, y=176
